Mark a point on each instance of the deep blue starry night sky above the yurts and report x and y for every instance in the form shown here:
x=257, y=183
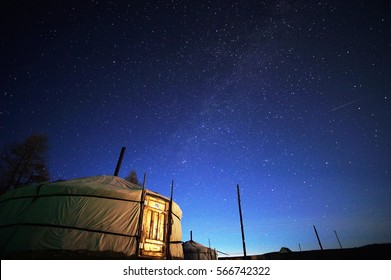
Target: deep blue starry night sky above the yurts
x=289, y=99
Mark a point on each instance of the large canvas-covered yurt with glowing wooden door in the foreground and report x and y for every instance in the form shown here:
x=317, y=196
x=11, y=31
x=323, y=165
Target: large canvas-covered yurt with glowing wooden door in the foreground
x=91, y=217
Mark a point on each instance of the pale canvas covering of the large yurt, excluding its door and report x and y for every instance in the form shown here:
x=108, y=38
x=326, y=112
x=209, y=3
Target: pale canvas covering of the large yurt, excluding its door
x=99, y=213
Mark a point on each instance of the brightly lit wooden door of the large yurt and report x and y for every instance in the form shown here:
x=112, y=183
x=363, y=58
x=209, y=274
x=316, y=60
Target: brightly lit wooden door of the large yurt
x=153, y=230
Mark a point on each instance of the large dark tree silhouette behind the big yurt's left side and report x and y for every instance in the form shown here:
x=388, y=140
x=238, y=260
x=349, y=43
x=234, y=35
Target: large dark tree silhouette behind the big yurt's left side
x=24, y=163
